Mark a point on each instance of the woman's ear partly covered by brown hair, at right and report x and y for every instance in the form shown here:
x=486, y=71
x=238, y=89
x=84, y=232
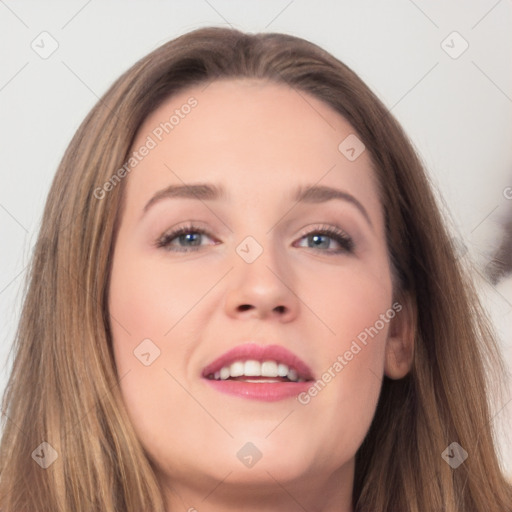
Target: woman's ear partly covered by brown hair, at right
x=400, y=341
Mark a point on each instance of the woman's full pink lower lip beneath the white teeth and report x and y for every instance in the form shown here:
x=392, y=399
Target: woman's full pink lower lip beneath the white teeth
x=264, y=391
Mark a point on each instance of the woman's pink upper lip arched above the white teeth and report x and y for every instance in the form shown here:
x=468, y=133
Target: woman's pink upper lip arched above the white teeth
x=255, y=352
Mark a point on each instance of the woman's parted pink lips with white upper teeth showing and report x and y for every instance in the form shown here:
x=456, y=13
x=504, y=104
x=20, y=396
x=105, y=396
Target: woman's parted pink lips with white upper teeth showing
x=264, y=372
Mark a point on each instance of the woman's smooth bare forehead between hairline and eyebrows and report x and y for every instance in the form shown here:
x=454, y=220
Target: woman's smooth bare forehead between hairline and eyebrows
x=253, y=135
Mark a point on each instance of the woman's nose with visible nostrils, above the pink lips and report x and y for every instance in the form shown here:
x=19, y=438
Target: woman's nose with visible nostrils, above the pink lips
x=262, y=289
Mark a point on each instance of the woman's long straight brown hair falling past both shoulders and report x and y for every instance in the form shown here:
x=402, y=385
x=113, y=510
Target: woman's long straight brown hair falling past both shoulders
x=63, y=389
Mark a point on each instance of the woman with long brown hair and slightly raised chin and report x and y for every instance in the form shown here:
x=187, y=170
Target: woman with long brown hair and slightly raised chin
x=243, y=297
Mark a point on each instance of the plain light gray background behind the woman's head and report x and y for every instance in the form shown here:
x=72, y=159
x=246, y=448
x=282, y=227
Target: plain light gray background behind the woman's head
x=457, y=111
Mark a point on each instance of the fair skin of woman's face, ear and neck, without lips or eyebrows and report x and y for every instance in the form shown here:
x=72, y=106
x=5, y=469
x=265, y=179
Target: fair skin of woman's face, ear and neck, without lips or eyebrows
x=259, y=140
